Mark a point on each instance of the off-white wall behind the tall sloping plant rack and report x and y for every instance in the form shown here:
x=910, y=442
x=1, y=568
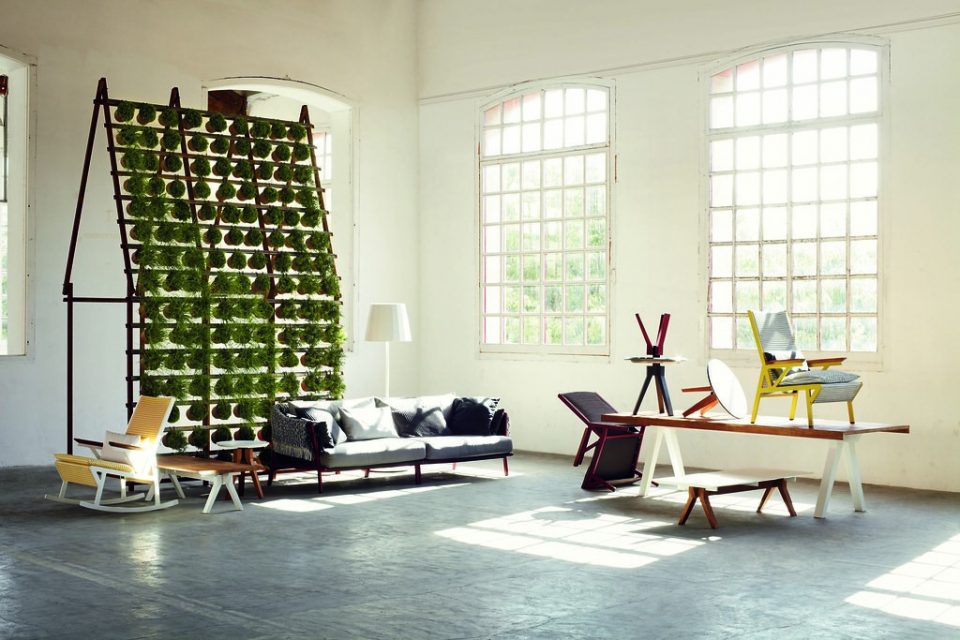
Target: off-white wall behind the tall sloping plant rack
x=364, y=51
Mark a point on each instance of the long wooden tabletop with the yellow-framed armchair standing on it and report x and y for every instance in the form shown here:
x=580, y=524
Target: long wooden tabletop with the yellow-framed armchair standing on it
x=765, y=425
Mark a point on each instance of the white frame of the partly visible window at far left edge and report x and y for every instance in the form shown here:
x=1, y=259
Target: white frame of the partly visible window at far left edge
x=20, y=154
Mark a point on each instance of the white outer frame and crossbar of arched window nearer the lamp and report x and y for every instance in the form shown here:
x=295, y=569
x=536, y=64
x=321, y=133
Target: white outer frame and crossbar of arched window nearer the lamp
x=542, y=349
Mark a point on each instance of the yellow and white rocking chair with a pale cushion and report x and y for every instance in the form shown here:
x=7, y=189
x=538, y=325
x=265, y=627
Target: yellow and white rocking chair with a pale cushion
x=123, y=460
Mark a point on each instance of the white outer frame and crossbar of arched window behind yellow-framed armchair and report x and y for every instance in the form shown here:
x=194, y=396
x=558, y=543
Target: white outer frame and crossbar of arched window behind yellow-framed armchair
x=747, y=353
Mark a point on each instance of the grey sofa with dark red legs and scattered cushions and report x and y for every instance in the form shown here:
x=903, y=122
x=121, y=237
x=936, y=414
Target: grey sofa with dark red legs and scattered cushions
x=370, y=433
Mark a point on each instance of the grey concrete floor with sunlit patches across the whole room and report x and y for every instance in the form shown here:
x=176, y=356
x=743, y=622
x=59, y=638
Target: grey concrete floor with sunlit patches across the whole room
x=477, y=555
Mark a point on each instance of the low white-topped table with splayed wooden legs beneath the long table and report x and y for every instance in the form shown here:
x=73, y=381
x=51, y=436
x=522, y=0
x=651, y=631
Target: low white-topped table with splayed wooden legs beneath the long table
x=700, y=486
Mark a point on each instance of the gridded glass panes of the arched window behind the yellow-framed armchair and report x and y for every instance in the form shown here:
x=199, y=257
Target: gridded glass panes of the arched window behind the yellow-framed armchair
x=794, y=171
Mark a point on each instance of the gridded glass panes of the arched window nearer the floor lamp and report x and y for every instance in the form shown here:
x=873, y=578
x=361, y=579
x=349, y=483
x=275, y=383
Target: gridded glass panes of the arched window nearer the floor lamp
x=545, y=158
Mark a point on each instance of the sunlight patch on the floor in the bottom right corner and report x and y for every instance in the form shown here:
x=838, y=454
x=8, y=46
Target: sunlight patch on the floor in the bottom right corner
x=926, y=588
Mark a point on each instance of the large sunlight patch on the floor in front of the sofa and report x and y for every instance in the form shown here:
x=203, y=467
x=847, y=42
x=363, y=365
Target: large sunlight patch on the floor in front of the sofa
x=573, y=535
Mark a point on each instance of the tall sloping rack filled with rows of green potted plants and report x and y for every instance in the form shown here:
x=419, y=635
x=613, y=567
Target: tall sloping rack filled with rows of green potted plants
x=231, y=255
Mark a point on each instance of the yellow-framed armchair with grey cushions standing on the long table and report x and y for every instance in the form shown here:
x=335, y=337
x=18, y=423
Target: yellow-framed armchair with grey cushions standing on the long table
x=785, y=372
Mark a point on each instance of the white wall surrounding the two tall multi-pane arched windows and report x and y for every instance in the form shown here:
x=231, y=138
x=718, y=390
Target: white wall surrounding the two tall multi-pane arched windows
x=470, y=50
